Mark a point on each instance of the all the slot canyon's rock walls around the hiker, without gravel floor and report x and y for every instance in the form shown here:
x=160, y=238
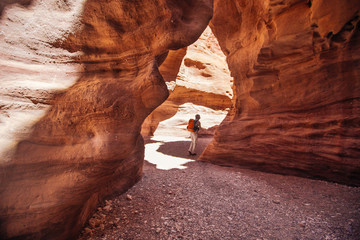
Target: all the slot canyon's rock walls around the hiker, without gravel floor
x=85, y=84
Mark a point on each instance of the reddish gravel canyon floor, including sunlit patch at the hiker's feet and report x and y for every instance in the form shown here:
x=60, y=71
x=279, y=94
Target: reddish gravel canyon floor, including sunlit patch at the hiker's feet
x=179, y=198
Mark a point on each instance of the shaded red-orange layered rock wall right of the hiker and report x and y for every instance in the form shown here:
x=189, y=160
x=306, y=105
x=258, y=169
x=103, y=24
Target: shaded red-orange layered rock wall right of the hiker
x=296, y=85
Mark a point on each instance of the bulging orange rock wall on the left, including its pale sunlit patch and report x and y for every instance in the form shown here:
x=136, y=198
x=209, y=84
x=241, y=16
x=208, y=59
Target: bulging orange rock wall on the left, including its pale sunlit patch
x=78, y=79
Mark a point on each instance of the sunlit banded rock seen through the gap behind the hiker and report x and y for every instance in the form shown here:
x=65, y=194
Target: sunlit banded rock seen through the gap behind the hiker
x=199, y=82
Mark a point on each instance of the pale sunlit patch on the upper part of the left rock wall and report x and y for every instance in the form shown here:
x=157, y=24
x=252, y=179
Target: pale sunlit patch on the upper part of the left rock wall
x=27, y=84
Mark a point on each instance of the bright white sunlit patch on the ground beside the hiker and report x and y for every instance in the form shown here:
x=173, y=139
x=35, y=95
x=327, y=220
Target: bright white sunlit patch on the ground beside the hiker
x=164, y=161
